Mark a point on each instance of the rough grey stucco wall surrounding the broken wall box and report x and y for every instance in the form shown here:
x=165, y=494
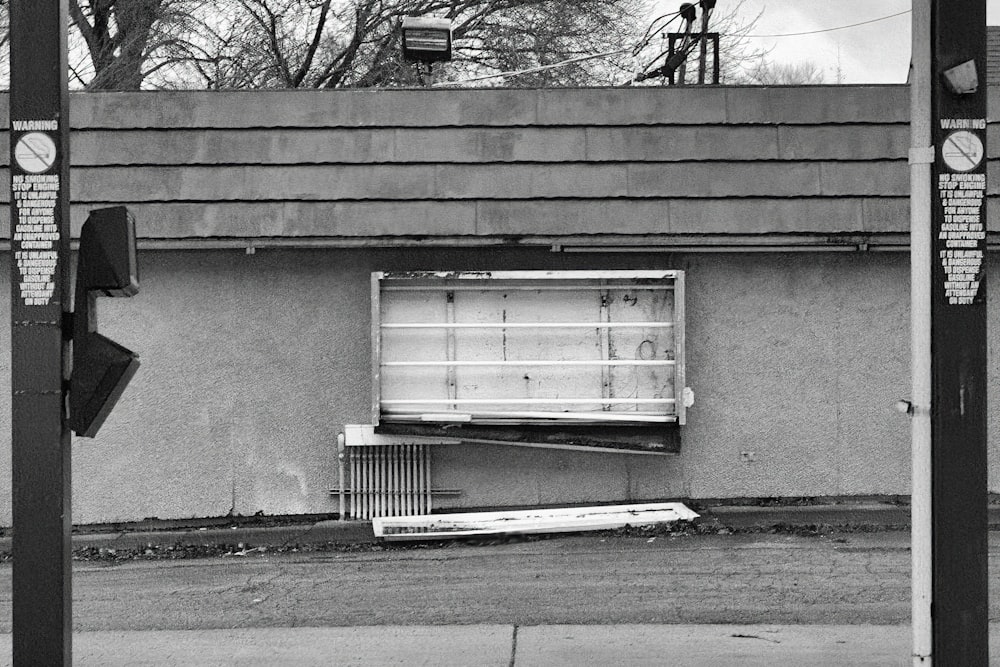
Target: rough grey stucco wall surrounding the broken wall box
x=251, y=364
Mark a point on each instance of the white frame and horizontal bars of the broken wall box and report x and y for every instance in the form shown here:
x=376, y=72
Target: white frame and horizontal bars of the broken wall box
x=395, y=410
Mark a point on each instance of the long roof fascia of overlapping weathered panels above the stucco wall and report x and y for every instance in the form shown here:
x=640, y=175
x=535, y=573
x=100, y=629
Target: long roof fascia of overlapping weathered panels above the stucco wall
x=497, y=163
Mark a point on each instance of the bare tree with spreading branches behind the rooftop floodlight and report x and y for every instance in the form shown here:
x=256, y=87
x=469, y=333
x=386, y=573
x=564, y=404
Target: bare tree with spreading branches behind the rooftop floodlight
x=321, y=44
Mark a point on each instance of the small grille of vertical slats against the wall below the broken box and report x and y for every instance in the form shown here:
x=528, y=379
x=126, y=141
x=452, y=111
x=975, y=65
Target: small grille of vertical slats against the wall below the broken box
x=390, y=480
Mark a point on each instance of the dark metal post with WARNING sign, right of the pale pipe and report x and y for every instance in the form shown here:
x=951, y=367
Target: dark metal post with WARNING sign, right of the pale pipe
x=960, y=585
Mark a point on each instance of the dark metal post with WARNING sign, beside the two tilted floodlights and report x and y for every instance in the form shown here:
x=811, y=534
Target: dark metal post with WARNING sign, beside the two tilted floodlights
x=40, y=301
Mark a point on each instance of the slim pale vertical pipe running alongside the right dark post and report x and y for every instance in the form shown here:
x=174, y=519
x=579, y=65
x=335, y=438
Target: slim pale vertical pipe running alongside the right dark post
x=921, y=157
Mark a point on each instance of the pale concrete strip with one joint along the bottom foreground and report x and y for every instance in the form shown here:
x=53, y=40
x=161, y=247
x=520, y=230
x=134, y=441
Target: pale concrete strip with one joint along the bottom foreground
x=508, y=646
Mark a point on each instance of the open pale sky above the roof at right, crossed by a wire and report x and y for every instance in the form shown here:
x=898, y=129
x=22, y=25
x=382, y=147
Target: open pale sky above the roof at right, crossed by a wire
x=877, y=52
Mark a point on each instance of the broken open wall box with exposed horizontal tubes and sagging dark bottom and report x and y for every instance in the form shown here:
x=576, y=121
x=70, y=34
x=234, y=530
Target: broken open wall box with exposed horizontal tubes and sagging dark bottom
x=585, y=358
